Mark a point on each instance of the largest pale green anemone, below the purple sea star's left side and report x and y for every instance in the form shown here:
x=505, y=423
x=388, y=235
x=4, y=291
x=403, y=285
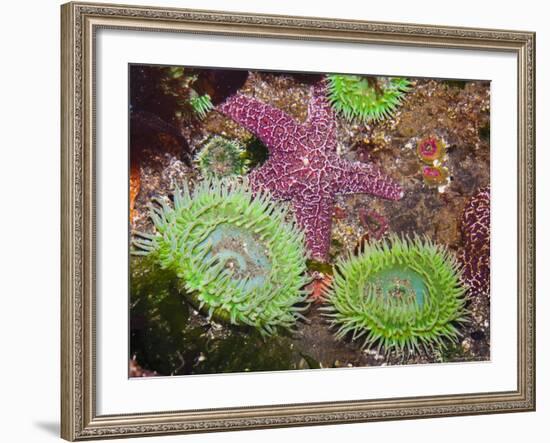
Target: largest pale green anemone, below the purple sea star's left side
x=236, y=253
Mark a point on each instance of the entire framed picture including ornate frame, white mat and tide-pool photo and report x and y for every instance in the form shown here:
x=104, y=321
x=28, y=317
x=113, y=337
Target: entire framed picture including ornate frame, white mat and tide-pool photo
x=283, y=221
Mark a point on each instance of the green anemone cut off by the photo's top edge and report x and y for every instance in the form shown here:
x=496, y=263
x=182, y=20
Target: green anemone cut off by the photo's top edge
x=364, y=98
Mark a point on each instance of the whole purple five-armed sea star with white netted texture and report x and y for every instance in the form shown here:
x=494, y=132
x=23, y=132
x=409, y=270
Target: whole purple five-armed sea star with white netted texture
x=303, y=165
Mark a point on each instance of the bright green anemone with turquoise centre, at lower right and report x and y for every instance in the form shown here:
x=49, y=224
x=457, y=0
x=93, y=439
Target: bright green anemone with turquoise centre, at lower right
x=400, y=294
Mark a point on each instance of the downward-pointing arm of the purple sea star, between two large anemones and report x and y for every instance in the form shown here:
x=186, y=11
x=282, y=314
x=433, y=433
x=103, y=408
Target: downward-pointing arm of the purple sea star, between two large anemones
x=314, y=215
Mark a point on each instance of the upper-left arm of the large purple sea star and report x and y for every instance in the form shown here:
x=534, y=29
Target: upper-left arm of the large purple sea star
x=271, y=125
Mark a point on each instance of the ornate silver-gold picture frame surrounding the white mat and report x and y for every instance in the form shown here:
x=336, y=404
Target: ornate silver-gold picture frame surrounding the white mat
x=80, y=21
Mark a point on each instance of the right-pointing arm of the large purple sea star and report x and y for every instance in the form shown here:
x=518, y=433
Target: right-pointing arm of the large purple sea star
x=365, y=178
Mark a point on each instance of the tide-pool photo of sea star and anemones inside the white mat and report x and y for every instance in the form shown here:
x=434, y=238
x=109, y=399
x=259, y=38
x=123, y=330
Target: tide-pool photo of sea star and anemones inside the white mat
x=290, y=220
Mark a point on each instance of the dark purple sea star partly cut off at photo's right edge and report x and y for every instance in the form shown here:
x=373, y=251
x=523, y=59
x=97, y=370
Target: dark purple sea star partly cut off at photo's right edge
x=476, y=232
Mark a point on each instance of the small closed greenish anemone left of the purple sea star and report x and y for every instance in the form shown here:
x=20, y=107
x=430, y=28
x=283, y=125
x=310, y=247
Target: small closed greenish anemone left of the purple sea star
x=221, y=157
